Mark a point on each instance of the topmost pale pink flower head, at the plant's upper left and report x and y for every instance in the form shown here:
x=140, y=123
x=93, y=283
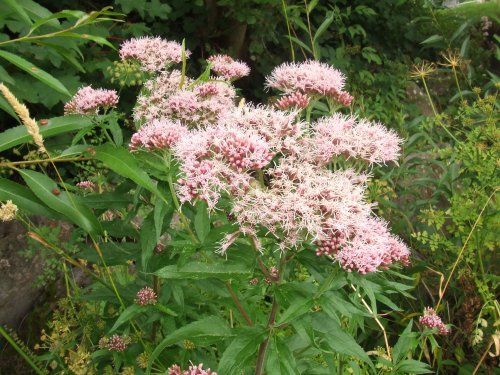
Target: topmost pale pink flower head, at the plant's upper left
x=153, y=53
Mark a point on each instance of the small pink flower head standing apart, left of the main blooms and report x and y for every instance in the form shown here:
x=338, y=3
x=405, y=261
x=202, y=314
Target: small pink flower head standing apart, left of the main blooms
x=87, y=101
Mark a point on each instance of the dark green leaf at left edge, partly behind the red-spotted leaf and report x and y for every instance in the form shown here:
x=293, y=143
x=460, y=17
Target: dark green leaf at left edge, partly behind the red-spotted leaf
x=24, y=199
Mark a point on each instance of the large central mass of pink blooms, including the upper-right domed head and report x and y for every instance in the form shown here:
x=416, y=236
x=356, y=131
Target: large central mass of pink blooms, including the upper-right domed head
x=274, y=168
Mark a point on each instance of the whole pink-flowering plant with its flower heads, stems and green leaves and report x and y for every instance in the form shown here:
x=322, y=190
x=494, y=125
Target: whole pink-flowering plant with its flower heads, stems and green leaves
x=228, y=237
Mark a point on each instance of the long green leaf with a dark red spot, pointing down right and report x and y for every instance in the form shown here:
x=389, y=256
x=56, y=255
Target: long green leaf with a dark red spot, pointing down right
x=65, y=203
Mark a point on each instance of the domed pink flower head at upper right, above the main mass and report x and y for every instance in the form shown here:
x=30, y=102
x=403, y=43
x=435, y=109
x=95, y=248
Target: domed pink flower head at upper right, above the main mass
x=310, y=78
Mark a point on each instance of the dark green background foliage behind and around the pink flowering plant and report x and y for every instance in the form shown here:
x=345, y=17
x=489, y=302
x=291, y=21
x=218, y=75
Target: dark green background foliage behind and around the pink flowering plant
x=428, y=72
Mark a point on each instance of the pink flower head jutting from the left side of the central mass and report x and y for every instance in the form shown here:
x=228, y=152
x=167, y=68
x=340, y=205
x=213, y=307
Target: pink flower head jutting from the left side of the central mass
x=158, y=135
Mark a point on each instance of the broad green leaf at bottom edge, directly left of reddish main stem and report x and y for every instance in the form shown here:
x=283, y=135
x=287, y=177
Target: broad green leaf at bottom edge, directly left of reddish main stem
x=241, y=350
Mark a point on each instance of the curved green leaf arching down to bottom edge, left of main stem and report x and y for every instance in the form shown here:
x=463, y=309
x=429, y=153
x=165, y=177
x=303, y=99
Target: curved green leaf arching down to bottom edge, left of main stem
x=203, y=332
